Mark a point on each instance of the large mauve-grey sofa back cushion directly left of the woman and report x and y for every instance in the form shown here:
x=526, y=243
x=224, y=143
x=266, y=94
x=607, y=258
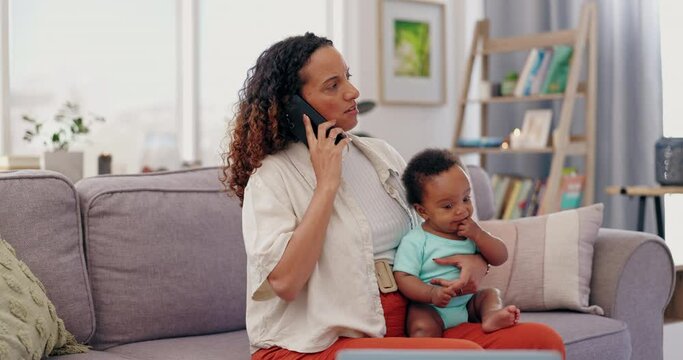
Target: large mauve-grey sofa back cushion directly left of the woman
x=165, y=254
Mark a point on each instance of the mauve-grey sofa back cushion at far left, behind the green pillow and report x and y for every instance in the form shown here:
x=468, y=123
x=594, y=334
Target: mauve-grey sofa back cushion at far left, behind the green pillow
x=39, y=216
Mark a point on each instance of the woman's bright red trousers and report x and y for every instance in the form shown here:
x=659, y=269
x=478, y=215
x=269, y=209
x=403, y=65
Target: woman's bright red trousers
x=464, y=336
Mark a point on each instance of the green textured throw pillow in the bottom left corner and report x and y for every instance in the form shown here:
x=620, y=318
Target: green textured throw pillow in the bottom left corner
x=29, y=325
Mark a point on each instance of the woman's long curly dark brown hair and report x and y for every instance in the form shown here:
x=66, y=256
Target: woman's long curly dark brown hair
x=260, y=127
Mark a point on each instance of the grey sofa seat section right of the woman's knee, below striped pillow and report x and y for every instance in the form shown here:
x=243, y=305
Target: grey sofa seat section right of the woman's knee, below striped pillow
x=587, y=336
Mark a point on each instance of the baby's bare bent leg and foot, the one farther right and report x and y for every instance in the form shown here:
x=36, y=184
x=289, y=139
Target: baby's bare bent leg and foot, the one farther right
x=486, y=306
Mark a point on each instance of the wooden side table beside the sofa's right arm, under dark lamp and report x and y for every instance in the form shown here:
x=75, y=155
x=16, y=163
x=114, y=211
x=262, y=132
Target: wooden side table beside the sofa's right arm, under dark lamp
x=643, y=192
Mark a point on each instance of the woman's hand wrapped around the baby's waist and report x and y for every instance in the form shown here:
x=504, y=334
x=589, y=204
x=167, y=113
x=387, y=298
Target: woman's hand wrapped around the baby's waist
x=472, y=271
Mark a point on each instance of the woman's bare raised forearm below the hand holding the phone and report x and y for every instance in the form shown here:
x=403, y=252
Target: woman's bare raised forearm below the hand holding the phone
x=305, y=246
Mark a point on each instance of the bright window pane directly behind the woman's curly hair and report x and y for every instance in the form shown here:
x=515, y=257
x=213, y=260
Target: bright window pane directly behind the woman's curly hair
x=232, y=36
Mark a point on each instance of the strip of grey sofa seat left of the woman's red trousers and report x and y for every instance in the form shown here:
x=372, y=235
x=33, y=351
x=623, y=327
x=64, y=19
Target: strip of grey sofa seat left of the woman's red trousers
x=224, y=346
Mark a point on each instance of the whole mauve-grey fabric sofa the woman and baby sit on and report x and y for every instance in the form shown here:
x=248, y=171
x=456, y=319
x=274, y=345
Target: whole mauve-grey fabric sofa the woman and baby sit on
x=153, y=267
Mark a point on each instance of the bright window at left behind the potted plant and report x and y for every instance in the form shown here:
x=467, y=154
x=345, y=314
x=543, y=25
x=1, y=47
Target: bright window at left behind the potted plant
x=114, y=58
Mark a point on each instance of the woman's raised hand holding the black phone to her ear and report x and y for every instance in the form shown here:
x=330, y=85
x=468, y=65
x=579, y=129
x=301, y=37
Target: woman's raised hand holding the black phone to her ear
x=326, y=156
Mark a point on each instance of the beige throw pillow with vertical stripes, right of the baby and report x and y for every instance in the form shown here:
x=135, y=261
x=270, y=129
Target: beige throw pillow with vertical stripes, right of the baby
x=550, y=260
